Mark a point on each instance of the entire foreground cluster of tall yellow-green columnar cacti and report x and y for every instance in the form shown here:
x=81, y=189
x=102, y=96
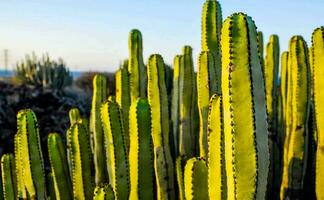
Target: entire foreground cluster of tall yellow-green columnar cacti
x=243, y=127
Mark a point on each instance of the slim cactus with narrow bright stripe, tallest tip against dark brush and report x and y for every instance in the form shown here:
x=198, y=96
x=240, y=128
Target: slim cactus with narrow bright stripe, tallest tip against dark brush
x=98, y=97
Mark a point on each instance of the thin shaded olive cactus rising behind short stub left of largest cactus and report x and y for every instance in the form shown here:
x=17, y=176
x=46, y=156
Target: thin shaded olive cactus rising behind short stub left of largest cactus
x=186, y=86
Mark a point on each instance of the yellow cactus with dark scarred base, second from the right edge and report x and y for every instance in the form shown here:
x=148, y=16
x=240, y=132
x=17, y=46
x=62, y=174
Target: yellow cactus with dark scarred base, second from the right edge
x=294, y=162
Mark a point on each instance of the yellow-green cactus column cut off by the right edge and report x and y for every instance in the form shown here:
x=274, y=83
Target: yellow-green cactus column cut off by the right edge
x=318, y=72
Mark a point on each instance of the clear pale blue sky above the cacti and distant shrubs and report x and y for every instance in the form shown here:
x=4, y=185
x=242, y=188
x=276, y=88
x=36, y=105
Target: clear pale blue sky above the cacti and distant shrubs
x=93, y=34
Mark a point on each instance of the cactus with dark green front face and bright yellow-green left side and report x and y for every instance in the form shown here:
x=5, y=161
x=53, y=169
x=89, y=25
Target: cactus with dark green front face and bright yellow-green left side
x=141, y=156
